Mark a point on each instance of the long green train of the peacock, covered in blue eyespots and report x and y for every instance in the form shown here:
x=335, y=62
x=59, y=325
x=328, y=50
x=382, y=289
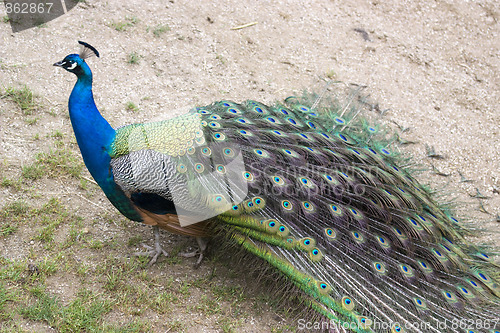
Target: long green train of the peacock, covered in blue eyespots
x=396, y=257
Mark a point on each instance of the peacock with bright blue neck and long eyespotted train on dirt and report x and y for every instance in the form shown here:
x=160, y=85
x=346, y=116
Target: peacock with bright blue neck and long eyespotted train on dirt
x=308, y=190
